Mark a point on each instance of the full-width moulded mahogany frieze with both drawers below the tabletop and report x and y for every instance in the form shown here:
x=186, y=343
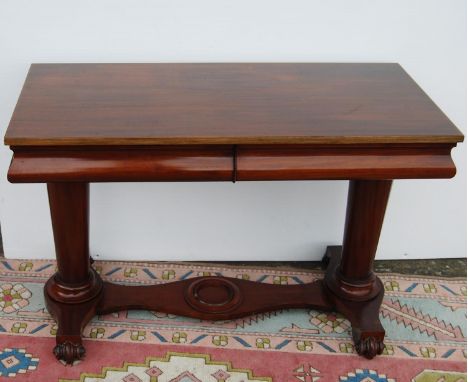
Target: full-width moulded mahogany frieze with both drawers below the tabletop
x=216, y=163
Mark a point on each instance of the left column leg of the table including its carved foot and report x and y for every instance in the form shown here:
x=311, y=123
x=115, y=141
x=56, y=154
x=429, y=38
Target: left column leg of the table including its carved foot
x=72, y=294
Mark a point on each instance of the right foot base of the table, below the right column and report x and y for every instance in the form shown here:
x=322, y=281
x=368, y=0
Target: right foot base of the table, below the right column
x=368, y=333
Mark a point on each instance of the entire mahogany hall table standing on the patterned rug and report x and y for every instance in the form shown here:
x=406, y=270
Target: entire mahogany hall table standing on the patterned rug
x=81, y=123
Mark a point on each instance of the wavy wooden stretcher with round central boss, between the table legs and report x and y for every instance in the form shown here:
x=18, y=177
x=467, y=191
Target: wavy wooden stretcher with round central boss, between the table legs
x=222, y=297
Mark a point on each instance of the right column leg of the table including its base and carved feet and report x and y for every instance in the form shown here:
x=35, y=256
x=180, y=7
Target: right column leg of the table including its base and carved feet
x=352, y=284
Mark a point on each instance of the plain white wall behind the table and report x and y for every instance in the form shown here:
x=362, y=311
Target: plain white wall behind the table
x=261, y=221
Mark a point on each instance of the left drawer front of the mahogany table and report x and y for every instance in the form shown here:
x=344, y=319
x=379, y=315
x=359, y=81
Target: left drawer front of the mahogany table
x=137, y=164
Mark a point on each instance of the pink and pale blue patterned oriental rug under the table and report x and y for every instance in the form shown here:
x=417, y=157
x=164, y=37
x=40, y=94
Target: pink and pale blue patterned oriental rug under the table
x=425, y=321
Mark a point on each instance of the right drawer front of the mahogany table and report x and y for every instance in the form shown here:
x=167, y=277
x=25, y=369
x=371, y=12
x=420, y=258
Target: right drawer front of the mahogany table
x=307, y=162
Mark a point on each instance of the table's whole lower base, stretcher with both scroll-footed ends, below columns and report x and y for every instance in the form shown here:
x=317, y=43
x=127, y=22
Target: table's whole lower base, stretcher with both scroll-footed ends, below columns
x=213, y=298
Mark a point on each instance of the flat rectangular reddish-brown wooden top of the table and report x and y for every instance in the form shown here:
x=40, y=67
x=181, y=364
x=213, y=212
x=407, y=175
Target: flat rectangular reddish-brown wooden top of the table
x=224, y=104
